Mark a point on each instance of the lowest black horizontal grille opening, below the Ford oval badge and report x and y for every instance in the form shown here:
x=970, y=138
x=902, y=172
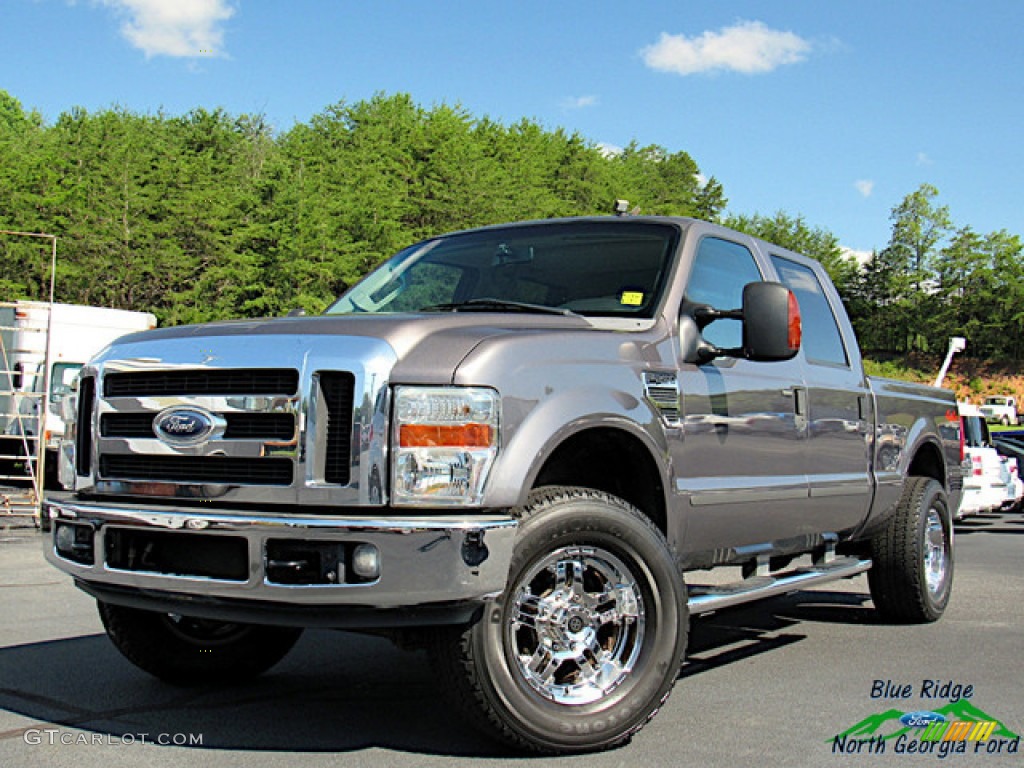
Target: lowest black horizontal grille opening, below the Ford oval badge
x=197, y=470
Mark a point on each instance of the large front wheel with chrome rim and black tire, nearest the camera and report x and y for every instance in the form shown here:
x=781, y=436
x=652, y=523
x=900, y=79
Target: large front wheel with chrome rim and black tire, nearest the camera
x=586, y=643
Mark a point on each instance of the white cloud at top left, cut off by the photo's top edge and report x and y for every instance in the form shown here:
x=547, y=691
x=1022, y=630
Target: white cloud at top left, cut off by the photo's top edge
x=175, y=28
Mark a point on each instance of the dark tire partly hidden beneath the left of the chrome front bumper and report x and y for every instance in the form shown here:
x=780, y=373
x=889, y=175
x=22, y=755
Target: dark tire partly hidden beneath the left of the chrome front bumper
x=184, y=651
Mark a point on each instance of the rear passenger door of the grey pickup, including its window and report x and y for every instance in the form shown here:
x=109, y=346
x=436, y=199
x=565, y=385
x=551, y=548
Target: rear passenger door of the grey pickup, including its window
x=837, y=403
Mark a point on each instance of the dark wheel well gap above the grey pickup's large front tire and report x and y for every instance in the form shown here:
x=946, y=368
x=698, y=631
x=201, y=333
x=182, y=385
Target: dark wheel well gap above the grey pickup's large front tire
x=610, y=460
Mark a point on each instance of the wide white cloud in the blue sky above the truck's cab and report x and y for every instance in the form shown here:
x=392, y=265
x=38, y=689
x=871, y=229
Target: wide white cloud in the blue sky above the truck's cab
x=748, y=48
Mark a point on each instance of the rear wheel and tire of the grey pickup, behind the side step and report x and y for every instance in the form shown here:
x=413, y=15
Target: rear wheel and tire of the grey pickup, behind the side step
x=913, y=573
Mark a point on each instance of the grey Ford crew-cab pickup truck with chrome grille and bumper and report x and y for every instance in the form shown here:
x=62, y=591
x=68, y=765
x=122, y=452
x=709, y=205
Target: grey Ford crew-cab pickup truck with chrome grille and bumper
x=524, y=448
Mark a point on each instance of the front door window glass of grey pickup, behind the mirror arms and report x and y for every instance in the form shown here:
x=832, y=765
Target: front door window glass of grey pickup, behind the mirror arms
x=721, y=269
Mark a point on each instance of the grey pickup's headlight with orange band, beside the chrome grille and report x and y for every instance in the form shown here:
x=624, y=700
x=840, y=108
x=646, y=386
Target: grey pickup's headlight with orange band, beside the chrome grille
x=445, y=442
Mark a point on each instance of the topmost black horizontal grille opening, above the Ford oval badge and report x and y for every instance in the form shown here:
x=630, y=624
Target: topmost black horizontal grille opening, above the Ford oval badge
x=202, y=382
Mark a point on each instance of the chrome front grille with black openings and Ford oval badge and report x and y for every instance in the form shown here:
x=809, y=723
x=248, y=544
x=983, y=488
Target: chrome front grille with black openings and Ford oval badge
x=303, y=418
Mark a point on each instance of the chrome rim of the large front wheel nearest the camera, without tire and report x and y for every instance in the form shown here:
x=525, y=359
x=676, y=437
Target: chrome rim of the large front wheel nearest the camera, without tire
x=577, y=625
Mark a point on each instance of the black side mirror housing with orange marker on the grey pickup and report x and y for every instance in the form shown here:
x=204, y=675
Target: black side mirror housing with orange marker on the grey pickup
x=773, y=329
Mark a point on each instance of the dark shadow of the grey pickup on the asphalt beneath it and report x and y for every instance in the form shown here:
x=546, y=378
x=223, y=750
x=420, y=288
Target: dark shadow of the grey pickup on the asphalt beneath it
x=336, y=692
